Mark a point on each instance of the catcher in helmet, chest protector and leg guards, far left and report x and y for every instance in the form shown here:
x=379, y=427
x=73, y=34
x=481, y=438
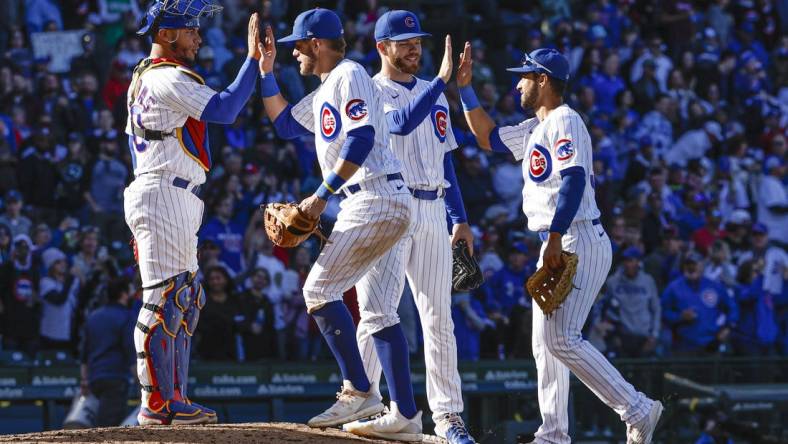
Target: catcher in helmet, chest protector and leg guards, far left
x=169, y=105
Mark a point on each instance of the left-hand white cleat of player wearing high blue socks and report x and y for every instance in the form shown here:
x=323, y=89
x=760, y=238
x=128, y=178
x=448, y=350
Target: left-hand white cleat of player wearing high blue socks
x=351, y=405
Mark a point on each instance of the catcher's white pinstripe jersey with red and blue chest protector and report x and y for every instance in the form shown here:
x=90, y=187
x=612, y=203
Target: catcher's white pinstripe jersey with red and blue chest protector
x=166, y=99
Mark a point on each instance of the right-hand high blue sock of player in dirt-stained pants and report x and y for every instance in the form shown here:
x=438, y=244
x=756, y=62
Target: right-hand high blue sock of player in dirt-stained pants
x=395, y=360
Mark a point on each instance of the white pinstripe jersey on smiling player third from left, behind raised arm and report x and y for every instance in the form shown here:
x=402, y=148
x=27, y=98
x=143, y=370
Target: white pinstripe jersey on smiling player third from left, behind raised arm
x=421, y=152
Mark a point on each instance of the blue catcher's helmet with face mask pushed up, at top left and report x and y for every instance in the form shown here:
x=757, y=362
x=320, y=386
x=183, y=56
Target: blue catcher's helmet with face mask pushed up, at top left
x=176, y=14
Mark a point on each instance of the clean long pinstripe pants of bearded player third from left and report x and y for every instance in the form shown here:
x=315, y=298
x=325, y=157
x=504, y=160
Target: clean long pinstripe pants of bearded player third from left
x=424, y=255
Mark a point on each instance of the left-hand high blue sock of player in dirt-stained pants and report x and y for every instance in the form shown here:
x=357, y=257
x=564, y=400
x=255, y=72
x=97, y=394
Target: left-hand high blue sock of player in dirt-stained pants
x=337, y=327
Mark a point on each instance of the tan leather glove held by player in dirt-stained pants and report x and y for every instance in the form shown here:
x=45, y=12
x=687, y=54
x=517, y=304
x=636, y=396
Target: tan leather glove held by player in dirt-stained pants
x=287, y=226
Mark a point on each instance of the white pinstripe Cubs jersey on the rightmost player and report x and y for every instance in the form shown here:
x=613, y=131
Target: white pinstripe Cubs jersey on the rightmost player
x=555, y=144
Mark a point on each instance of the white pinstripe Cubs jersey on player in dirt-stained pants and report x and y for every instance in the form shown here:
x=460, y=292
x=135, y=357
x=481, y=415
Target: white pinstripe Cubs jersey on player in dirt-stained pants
x=347, y=99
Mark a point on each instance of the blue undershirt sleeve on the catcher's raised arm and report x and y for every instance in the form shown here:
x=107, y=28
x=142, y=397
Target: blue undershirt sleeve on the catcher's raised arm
x=225, y=105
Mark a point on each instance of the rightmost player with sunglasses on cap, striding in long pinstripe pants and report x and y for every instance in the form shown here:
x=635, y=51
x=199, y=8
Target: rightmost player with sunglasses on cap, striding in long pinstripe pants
x=558, y=199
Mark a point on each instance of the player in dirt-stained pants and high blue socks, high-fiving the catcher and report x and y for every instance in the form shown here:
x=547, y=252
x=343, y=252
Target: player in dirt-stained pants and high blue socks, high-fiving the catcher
x=346, y=113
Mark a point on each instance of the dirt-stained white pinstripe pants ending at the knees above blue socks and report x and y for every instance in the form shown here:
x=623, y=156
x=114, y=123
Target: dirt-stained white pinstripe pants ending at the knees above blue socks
x=368, y=225
